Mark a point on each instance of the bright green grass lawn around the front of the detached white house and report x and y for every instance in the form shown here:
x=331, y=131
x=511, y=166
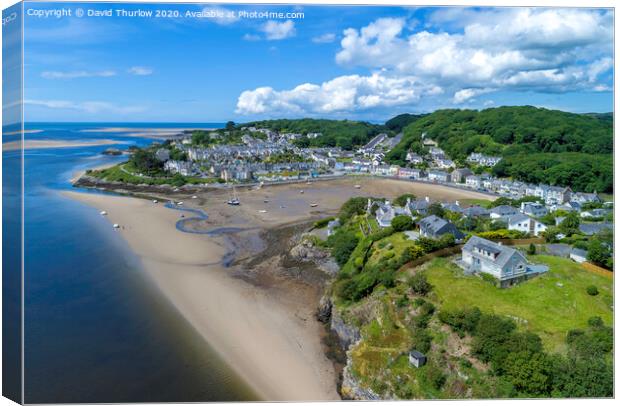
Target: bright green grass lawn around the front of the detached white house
x=540, y=305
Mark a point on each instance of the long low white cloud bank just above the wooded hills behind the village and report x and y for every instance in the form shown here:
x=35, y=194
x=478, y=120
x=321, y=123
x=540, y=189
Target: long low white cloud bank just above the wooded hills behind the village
x=344, y=93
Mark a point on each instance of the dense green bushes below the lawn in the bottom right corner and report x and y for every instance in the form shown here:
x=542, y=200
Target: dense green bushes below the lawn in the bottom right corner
x=519, y=358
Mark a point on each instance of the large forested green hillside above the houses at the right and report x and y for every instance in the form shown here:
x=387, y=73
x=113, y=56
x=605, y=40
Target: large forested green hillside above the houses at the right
x=538, y=145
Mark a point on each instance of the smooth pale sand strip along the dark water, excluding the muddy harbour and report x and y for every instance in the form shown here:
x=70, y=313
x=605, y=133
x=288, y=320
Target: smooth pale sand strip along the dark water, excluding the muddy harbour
x=277, y=353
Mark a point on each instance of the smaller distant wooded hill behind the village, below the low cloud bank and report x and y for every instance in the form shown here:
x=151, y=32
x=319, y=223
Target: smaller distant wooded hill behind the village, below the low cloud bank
x=335, y=133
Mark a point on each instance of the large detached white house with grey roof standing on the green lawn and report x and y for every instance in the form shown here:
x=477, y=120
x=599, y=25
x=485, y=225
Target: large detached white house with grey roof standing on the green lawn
x=506, y=264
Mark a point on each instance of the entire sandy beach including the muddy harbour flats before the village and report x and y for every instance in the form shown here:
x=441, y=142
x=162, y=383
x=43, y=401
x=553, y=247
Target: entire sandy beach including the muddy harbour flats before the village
x=259, y=318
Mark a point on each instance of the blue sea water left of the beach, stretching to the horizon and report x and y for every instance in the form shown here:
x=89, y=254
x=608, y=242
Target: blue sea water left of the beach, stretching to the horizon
x=96, y=328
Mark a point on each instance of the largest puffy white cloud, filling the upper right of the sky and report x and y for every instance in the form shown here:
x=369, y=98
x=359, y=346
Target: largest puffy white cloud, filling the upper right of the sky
x=493, y=49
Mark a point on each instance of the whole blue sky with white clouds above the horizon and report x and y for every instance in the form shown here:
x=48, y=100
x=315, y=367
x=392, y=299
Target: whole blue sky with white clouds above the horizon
x=208, y=63
